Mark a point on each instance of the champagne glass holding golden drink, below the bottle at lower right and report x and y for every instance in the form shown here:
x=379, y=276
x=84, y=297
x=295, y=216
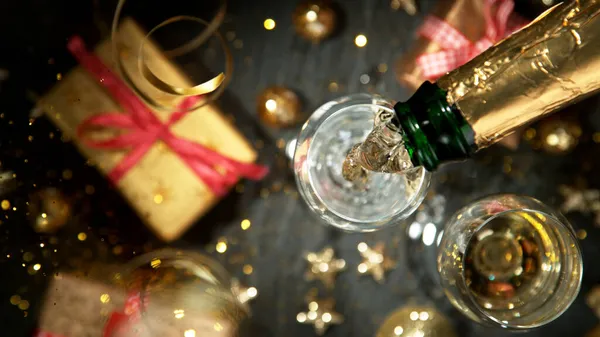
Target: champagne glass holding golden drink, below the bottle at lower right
x=510, y=261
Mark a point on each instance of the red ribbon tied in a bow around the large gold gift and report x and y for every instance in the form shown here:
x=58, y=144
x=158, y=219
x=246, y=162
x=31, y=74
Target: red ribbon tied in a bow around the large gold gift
x=145, y=129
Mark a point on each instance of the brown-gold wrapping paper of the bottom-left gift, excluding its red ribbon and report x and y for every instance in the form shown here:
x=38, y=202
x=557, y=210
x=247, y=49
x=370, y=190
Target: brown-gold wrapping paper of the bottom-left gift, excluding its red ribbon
x=81, y=307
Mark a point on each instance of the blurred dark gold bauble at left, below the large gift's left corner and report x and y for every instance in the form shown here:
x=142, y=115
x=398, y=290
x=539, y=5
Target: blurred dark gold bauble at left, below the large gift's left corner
x=49, y=210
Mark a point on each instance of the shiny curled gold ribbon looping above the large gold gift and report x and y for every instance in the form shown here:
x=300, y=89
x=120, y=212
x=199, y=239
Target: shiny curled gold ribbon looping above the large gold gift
x=215, y=85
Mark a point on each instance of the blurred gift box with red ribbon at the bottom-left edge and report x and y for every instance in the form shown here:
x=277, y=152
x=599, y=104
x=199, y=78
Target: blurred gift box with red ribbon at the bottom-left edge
x=76, y=306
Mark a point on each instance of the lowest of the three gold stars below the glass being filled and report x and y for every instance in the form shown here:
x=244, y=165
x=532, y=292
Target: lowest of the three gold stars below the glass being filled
x=321, y=315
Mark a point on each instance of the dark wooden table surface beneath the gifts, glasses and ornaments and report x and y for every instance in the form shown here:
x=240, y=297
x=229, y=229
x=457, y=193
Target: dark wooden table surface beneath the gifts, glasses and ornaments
x=282, y=229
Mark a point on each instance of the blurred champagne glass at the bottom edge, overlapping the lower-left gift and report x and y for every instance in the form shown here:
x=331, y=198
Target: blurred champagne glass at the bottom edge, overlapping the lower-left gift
x=178, y=293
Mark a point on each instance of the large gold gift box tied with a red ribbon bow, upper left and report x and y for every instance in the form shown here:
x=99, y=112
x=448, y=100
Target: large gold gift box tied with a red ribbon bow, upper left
x=163, y=182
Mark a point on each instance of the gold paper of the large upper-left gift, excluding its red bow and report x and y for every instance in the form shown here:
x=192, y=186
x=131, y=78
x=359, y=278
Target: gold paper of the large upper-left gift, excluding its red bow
x=165, y=193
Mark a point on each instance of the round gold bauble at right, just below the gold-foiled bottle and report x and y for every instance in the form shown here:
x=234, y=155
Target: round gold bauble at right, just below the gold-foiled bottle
x=555, y=135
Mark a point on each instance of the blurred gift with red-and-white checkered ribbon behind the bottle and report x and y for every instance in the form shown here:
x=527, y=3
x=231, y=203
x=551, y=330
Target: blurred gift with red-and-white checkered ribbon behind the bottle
x=454, y=33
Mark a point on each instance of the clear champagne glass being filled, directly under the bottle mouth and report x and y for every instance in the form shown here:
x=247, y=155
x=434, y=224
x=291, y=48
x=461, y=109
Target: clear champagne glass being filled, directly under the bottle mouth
x=378, y=200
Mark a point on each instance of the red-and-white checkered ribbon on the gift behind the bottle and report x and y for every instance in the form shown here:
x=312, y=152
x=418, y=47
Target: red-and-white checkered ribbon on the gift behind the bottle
x=457, y=49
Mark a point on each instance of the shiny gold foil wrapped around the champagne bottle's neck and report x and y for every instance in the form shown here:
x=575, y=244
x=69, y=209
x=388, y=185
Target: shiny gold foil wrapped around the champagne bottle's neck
x=551, y=63
